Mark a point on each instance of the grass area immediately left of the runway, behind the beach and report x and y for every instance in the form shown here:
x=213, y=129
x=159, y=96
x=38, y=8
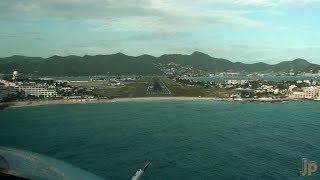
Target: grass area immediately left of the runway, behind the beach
x=135, y=89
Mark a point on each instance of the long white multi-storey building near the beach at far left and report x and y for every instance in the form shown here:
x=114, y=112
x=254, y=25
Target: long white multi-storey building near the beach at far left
x=38, y=91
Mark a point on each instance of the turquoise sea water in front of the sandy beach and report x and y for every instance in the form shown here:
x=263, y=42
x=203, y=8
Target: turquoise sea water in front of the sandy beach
x=186, y=139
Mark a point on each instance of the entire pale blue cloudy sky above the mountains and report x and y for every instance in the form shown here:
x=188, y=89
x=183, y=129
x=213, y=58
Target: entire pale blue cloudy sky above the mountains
x=239, y=30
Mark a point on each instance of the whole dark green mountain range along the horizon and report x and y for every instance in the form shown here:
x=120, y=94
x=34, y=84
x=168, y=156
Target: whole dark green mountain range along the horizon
x=121, y=64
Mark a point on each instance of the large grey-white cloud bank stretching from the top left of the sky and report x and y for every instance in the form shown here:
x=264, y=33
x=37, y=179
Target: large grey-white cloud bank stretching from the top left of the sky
x=160, y=15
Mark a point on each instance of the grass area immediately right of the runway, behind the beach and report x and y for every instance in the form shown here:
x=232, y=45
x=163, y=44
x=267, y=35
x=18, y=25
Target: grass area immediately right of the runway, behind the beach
x=193, y=91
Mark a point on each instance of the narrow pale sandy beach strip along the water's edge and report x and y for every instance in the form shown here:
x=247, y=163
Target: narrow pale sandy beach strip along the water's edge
x=30, y=103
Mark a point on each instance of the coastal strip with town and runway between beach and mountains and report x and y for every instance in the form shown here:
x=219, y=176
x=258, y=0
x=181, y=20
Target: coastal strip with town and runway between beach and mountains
x=18, y=87
